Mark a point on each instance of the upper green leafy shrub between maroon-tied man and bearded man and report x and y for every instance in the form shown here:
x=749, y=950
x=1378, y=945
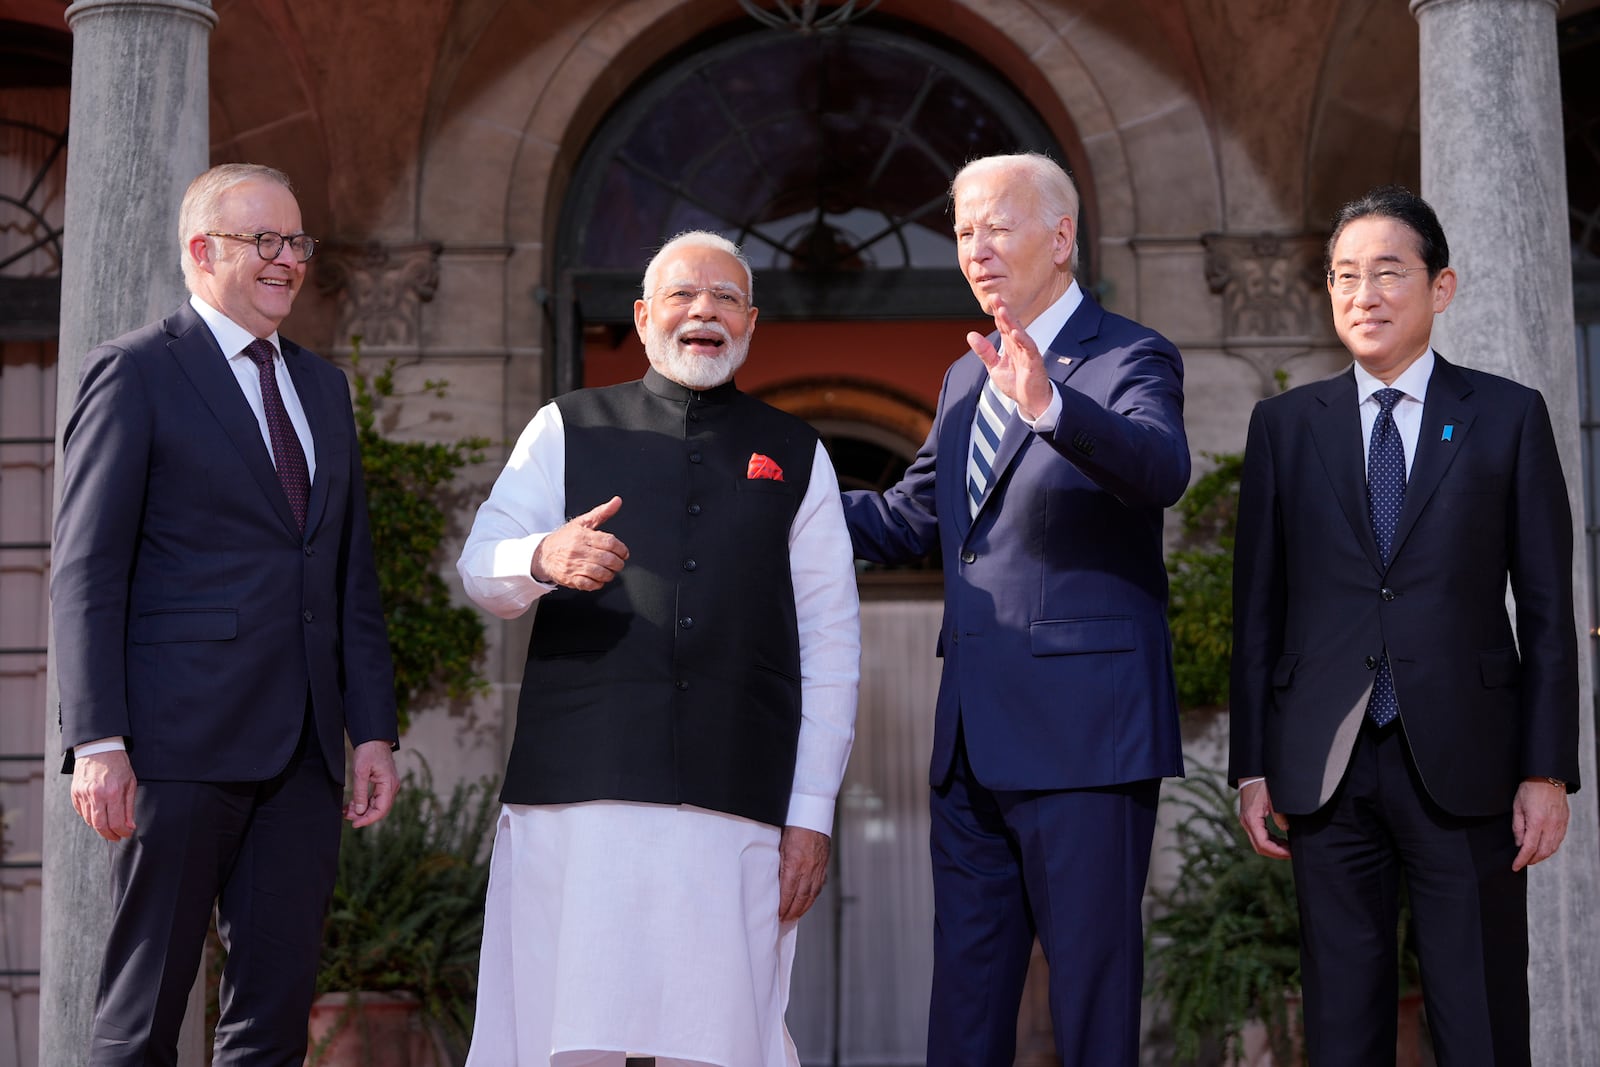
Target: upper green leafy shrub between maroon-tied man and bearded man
x=438, y=645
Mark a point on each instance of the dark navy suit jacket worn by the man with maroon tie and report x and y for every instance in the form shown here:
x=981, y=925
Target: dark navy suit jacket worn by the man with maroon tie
x=191, y=615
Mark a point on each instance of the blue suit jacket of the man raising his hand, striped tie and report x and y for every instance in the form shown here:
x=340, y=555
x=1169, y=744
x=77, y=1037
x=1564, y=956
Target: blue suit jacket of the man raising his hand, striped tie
x=1057, y=657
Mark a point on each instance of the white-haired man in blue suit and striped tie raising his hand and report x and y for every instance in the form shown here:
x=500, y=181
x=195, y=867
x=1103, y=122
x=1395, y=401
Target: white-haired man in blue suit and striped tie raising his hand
x=1057, y=714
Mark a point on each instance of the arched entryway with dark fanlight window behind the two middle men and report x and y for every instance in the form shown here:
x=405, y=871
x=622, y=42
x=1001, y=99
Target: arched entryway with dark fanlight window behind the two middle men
x=834, y=180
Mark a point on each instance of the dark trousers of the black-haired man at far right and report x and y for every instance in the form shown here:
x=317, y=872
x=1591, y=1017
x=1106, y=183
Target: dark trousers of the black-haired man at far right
x=1470, y=914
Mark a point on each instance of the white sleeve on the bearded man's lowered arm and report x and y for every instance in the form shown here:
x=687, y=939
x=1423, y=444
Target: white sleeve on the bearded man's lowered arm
x=830, y=617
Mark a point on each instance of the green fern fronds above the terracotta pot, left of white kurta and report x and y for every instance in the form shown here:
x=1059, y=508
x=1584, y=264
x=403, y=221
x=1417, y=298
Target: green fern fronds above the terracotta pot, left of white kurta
x=407, y=908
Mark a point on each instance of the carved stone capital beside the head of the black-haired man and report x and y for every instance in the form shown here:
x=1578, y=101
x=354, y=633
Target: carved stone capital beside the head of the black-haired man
x=1274, y=302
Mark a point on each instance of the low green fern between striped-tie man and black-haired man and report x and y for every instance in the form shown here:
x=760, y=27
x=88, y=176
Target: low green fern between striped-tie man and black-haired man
x=1225, y=945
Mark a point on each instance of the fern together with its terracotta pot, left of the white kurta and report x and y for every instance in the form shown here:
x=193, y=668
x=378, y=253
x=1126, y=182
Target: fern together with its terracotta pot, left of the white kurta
x=401, y=946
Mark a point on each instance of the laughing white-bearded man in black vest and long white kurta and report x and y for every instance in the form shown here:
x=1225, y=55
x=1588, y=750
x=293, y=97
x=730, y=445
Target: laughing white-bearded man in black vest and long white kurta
x=687, y=706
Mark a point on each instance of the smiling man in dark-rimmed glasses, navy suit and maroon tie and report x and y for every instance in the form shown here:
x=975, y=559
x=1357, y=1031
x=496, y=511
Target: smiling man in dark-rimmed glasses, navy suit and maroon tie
x=218, y=636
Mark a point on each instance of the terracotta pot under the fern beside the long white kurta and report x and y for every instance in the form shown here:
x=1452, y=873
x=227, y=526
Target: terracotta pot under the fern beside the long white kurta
x=370, y=1031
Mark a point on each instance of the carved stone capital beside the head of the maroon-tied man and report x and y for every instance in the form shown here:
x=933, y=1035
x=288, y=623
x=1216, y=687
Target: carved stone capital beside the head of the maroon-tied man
x=380, y=290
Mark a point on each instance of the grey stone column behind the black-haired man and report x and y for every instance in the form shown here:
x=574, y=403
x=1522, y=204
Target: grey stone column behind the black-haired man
x=1495, y=170
